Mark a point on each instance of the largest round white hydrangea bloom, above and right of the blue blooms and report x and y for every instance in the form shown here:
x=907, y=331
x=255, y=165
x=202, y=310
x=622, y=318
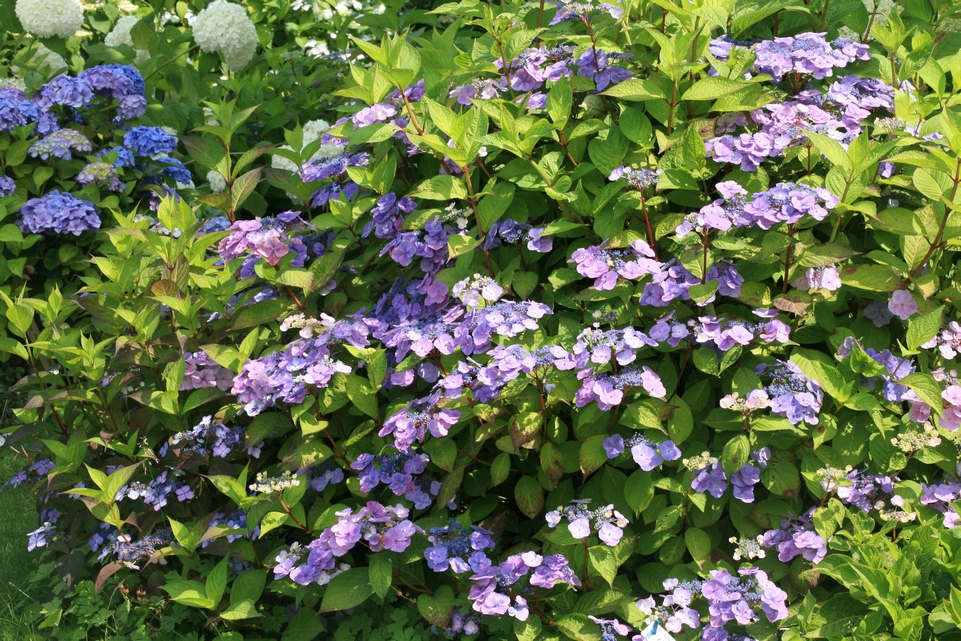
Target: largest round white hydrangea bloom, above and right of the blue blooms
x=225, y=28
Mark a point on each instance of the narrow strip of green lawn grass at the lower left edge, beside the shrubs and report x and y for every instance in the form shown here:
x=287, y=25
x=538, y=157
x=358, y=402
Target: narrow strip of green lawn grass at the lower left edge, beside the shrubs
x=18, y=507
